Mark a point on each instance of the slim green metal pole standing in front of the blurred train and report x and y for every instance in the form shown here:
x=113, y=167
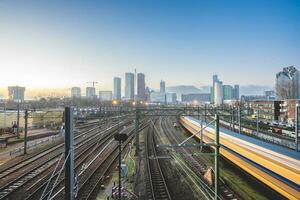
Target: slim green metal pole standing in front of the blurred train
x=217, y=151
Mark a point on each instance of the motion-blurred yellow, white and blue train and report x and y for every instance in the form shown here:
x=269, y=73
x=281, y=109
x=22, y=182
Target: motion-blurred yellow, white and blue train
x=275, y=166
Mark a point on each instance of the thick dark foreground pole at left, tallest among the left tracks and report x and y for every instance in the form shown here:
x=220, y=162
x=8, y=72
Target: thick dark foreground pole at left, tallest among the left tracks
x=69, y=155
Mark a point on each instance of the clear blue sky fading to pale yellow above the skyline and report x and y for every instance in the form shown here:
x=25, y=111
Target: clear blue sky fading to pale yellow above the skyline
x=63, y=43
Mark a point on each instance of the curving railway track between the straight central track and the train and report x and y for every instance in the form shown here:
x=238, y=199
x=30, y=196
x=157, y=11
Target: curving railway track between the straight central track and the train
x=195, y=163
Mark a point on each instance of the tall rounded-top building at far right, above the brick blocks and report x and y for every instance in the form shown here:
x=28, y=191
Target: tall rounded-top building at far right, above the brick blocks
x=288, y=84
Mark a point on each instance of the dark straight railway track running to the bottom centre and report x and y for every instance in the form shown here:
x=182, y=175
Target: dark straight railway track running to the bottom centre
x=156, y=184
